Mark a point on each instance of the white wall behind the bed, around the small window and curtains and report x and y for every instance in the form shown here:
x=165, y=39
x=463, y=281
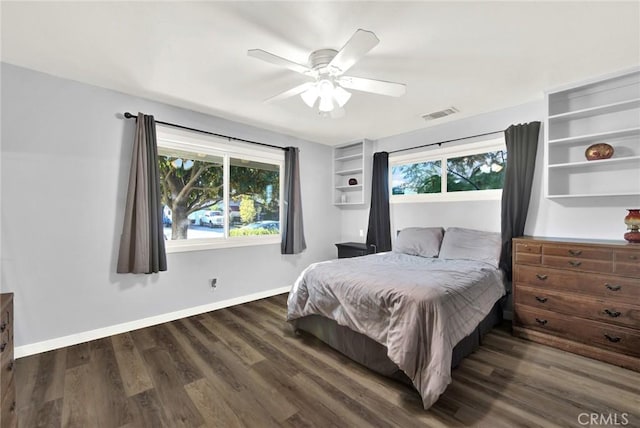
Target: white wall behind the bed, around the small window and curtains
x=600, y=218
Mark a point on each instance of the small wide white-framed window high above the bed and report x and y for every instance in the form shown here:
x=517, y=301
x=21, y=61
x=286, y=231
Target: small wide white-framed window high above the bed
x=469, y=172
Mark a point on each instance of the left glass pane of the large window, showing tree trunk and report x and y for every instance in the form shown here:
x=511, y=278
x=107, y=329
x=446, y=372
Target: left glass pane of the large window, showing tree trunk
x=191, y=187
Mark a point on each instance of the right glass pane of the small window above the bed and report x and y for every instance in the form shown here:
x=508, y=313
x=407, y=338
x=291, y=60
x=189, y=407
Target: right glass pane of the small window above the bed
x=476, y=172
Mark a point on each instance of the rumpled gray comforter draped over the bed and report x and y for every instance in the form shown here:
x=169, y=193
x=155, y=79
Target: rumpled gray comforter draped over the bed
x=419, y=308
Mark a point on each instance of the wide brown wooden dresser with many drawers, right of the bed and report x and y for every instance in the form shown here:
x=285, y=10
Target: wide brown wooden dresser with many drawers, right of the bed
x=580, y=296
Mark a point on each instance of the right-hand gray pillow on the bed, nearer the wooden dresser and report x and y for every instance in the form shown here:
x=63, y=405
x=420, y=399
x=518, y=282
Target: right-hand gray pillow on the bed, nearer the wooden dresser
x=471, y=244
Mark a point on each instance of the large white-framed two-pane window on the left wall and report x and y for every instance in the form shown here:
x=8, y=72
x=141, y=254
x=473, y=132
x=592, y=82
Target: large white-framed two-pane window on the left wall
x=217, y=193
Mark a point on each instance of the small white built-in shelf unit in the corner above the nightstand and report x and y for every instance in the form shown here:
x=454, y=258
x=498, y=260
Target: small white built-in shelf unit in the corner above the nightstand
x=352, y=160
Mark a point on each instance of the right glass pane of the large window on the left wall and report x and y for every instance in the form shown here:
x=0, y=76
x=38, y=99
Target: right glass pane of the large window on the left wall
x=254, y=198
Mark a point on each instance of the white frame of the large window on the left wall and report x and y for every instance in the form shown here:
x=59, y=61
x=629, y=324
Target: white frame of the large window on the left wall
x=191, y=141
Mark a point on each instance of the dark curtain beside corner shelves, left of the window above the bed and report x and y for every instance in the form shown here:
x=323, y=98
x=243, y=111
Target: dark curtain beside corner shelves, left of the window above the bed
x=379, y=231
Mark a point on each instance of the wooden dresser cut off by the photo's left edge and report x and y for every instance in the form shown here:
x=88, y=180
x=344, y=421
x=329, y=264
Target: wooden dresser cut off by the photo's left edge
x=8, y=411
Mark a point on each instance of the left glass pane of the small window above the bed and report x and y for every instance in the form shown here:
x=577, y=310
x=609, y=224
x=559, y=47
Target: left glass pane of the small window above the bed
x=415, y=178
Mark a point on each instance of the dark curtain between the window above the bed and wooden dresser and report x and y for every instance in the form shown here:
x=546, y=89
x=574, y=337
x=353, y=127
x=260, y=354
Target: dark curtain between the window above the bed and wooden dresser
x=522, y=145
